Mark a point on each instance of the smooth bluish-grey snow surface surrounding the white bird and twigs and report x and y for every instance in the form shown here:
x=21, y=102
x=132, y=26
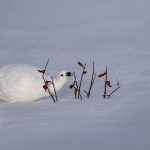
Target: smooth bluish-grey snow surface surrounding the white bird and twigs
x=113, y=33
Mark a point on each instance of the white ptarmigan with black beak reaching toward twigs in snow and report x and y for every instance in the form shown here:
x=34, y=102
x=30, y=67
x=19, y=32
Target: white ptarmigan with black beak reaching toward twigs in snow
x=23, y=83
